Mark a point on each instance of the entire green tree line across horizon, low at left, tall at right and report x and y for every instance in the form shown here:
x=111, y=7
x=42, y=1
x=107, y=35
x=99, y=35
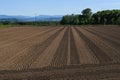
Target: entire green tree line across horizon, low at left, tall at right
x=105, y=17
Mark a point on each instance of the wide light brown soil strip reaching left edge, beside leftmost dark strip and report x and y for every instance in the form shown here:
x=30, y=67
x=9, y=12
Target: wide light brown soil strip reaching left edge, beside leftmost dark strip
x=20, y=47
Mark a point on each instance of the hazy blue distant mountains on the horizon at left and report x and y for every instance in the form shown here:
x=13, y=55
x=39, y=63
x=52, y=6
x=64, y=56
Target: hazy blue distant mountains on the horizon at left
x=35, y=18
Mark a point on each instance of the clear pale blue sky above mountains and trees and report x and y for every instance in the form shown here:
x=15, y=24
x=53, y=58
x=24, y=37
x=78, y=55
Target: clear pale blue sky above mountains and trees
x=54, y=7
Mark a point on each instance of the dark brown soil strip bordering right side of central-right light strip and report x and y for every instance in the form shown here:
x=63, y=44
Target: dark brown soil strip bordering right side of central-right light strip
x=102, y=57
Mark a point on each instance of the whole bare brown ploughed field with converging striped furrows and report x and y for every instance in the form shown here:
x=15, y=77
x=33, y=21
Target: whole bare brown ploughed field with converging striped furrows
x=60, y=53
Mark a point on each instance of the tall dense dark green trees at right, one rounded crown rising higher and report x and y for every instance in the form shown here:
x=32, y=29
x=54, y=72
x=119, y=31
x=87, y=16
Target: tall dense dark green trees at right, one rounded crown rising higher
x=105, y=17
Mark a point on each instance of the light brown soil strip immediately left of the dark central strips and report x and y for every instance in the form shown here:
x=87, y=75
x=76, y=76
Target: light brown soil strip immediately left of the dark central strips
x=46, y=57
